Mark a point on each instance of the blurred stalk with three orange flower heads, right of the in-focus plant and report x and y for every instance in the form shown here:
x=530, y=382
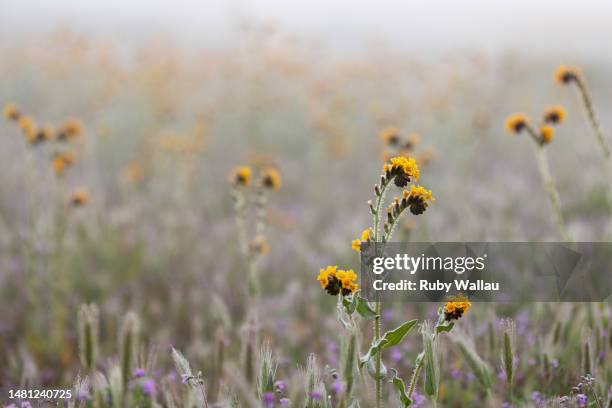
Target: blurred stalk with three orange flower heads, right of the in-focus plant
x=542, y=137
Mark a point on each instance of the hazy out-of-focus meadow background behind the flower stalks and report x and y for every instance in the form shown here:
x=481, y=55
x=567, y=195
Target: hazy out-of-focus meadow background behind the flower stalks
x=167, y=116
